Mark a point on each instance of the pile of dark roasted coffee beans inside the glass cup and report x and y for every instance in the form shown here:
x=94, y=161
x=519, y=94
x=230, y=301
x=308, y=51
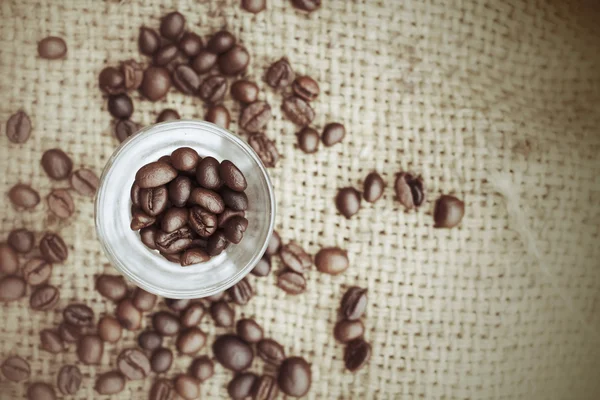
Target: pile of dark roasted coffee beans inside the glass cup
x=189, y=208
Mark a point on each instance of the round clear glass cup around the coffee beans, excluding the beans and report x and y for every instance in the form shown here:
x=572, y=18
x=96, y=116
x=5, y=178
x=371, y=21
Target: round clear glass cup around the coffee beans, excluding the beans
x=147, y=268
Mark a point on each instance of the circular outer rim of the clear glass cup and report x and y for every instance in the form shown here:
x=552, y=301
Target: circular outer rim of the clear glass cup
x=118, y=264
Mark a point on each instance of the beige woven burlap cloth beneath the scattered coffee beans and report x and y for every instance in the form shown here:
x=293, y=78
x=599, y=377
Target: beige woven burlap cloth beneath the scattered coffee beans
x=495, y=101
